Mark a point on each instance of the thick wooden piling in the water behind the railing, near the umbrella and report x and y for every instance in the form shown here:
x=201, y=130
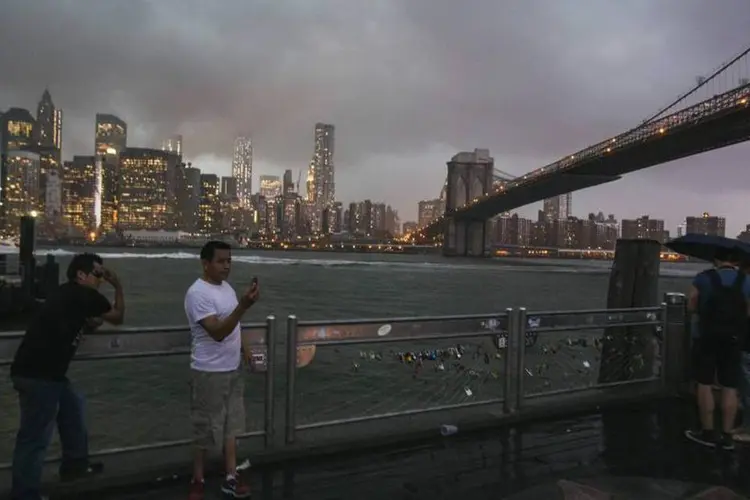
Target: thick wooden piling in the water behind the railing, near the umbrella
x=628, y=352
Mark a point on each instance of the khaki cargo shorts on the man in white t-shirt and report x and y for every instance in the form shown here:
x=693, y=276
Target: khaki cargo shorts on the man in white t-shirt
x=217, y=407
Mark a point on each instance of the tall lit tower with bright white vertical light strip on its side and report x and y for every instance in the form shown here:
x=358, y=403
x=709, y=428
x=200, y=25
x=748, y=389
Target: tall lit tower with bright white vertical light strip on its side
x=111, y=138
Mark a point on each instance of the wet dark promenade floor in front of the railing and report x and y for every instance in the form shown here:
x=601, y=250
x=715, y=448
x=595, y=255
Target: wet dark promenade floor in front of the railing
x=636, y=451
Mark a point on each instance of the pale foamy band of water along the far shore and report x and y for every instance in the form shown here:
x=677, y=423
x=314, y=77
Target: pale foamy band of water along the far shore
x=580, y=267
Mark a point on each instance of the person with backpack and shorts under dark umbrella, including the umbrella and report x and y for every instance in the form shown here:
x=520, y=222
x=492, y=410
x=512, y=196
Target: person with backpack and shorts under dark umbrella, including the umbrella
x=720, y=297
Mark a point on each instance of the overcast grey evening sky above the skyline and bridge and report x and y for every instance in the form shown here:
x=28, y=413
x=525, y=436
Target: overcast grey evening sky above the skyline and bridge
x=407, y=83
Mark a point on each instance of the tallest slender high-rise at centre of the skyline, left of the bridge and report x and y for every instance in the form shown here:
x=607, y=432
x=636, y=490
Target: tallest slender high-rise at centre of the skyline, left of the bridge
x=321, y=185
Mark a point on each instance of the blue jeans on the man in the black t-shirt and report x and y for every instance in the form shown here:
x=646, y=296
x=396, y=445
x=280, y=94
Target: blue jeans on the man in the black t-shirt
x=44, y=403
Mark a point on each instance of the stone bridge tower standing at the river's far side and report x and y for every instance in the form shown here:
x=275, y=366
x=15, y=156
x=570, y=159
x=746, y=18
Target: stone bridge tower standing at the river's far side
x=470, y=175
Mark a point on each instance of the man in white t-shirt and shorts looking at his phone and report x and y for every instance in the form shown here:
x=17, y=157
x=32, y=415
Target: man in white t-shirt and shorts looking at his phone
x=217, y=409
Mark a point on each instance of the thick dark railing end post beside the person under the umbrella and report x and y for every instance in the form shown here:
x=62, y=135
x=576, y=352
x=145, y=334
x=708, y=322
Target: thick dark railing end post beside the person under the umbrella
x=675, y=341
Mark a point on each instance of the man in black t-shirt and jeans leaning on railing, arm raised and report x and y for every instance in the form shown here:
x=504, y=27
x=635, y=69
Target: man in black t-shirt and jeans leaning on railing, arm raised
x=39, y=371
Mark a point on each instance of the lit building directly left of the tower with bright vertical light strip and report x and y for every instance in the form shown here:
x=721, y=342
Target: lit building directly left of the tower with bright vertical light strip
x=78, y=193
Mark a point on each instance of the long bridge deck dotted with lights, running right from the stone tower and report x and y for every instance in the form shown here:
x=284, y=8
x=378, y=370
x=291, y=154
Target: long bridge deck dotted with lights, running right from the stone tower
x=712, y=124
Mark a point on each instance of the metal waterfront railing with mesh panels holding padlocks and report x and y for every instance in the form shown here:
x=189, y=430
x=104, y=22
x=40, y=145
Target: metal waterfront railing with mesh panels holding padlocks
x=523, y=342
